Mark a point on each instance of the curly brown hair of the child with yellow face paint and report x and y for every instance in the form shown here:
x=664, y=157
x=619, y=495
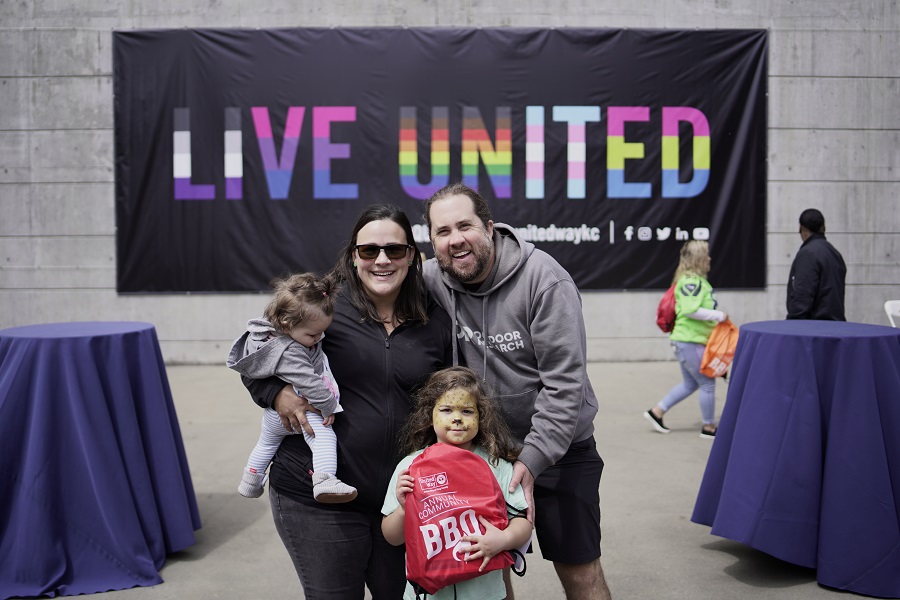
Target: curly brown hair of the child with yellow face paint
x=493, y=434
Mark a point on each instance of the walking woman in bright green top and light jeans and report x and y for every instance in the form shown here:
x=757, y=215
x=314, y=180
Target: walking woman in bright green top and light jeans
x=696, y=315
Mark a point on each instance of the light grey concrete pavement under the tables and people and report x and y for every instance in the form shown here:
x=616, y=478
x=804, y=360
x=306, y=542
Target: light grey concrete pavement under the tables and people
x=650, y=547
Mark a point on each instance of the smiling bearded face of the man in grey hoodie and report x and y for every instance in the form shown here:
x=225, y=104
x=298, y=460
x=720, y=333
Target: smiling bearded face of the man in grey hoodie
x=462, y=246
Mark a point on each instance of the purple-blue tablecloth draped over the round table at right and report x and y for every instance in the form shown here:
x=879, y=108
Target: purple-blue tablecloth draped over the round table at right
x=806, y=462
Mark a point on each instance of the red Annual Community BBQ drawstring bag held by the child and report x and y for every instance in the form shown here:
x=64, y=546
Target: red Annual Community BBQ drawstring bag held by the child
x=452, y=487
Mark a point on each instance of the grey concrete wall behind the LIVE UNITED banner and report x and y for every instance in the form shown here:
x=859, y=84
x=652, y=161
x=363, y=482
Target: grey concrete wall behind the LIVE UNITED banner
x=834, y=143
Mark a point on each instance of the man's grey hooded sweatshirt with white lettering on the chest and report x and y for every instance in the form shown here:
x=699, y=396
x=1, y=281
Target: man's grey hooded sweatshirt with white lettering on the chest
x=523, y=330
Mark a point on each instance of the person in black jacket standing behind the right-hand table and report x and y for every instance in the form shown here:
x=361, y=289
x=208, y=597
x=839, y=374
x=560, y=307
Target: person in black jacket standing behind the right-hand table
x=815, y=287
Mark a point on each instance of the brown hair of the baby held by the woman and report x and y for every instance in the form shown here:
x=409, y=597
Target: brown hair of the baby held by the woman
x=295, y=296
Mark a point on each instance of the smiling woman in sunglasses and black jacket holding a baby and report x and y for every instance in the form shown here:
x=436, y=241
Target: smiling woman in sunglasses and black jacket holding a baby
x=387, y=336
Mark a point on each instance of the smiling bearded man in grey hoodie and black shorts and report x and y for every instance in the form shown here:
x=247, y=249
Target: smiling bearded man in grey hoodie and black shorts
x=518, y=322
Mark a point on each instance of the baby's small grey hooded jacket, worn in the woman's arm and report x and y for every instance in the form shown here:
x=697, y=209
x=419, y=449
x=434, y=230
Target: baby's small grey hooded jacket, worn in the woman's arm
x=263, y=352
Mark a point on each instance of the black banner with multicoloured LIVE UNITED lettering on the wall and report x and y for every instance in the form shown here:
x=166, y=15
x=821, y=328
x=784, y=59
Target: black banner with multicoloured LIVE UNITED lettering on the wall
x=246, y=154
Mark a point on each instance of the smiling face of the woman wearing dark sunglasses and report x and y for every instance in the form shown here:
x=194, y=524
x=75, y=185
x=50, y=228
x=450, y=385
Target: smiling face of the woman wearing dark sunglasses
x=381, y=277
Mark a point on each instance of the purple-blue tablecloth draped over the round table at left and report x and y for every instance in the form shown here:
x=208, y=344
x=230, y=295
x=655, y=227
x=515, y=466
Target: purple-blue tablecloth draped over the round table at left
x=94, y=483
